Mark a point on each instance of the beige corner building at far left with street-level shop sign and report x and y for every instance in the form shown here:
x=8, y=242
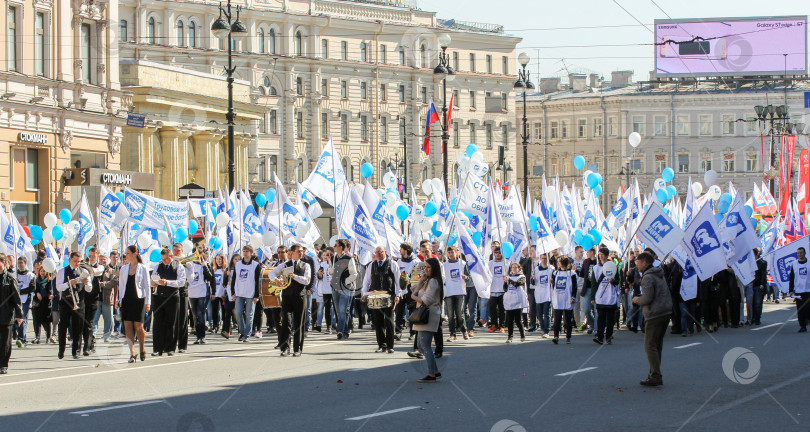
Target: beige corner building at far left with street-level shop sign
x=60, y=100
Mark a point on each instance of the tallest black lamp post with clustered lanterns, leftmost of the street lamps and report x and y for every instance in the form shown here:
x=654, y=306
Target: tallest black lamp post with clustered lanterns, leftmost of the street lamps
x=230, y=28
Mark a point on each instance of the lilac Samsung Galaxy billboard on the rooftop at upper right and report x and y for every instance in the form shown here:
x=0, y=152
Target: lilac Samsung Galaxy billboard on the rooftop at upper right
x=731, y=46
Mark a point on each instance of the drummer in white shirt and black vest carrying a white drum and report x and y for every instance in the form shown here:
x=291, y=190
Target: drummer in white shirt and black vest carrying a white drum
x=383, y=275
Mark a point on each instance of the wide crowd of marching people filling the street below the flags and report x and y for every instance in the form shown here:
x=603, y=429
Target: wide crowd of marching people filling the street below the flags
x=414, y=296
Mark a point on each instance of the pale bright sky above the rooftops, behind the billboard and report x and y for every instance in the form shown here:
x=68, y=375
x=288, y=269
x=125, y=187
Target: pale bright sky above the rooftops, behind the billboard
x=599, y=22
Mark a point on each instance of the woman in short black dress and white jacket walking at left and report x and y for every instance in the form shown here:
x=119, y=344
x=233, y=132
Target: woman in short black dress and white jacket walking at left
x=133, y=299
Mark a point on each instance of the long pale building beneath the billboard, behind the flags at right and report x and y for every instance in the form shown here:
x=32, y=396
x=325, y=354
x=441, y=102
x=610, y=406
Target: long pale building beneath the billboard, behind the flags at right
x=690, y=127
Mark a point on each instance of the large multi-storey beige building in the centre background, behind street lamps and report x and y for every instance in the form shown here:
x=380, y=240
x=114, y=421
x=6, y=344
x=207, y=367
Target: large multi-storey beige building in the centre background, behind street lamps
x=360, y=72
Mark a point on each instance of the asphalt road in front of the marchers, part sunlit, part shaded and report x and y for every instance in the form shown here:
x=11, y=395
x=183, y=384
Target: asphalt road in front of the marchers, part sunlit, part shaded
x=752, y=378
